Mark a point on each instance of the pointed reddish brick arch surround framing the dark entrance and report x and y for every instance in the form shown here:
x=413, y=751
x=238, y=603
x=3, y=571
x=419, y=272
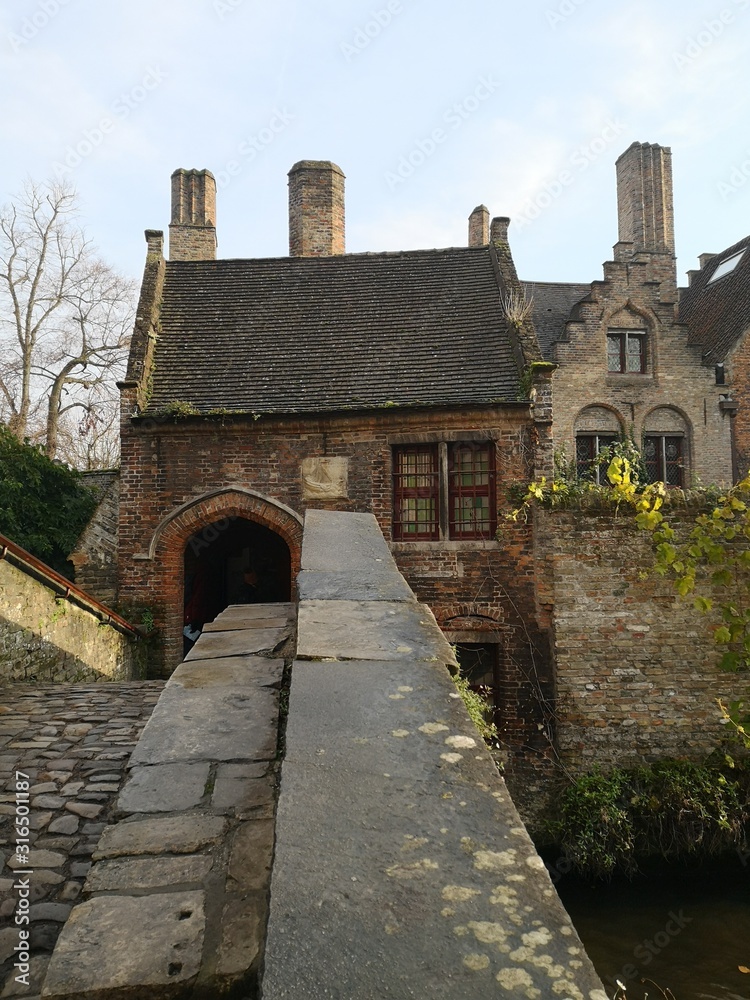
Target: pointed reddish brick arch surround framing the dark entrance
x=168, y=542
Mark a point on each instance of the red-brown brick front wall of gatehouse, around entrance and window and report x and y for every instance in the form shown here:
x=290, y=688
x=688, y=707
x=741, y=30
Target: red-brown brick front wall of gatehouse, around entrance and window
x=253, y=469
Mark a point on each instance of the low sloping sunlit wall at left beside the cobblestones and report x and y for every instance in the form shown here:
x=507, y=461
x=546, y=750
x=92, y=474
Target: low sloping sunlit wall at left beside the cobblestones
x=44, y=637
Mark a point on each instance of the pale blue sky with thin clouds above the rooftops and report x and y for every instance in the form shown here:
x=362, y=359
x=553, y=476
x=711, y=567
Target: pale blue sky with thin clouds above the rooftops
x=430, y=107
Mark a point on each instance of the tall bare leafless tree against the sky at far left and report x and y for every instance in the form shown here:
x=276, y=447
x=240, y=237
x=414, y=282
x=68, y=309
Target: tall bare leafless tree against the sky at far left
x=65, y=318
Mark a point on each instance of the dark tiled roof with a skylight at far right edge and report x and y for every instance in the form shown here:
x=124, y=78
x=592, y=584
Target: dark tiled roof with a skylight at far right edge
x=718, y=312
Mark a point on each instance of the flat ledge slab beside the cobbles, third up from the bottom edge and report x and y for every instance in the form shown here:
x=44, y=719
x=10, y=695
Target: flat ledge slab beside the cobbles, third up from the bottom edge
x=160, y=835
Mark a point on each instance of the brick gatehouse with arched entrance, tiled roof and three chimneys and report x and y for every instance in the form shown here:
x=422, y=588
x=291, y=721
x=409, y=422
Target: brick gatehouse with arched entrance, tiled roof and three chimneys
x=386, y=383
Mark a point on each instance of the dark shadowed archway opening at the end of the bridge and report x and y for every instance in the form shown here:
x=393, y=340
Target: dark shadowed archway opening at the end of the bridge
x=233, y=561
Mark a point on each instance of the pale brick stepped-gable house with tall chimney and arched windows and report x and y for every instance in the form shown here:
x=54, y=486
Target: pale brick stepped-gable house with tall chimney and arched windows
x=627, y=367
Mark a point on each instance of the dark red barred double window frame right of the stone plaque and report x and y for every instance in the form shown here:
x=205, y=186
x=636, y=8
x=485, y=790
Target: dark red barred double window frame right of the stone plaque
x=448, y=494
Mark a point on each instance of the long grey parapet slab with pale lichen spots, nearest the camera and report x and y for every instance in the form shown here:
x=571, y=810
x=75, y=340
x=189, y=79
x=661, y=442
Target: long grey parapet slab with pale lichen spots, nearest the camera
x=422, y=881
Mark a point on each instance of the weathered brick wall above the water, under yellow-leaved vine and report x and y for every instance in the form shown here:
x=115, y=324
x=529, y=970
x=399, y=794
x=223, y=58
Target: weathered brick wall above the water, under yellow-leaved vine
x=636, y=665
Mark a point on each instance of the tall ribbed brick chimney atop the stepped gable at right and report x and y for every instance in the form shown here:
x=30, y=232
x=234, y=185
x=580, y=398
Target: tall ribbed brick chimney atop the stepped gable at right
x=645, y=205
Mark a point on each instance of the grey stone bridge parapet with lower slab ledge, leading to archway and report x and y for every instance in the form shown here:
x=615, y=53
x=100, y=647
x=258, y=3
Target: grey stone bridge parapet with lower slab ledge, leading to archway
x=382, y=858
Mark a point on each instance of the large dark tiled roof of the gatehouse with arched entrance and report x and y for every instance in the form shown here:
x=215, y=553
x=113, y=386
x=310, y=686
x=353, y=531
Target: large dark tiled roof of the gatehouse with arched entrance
x=295, y=335
